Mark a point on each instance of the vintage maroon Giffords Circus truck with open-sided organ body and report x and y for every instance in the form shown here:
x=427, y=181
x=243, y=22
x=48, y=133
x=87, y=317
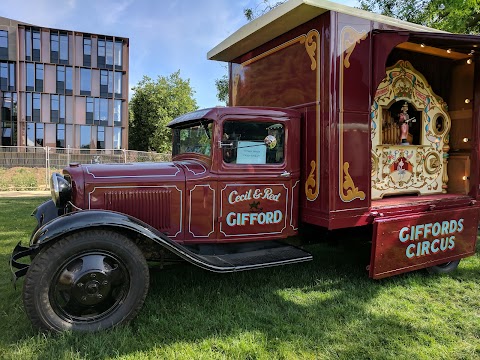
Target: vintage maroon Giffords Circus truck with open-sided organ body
x=338, y=120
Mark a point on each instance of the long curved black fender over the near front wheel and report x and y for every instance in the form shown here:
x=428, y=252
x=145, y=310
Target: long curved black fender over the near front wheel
x=87, y=219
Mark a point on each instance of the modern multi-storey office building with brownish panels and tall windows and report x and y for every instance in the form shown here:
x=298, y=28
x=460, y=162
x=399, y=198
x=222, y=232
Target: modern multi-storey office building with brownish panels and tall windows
x=62, y=88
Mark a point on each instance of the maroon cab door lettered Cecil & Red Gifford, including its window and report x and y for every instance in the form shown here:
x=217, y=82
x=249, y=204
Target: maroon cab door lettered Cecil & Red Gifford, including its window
x=258, y=179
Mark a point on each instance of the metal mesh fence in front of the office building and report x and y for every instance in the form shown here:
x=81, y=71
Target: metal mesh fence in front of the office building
x=15, y=159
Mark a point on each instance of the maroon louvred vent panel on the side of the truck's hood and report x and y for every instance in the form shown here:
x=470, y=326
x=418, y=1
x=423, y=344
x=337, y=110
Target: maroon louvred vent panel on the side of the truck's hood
x=150, y=206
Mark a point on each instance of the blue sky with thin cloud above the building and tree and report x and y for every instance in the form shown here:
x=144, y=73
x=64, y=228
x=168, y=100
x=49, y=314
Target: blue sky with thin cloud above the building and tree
x=165, y=36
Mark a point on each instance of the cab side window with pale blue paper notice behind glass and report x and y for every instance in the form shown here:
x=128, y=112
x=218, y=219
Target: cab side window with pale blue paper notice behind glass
x=253, y=142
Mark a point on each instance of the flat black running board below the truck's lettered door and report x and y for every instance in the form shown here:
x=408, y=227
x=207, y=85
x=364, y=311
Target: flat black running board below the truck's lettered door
x=265, y=254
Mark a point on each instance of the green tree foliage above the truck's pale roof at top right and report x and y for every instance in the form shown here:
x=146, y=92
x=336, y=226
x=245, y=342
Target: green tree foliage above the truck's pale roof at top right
x=458, y=16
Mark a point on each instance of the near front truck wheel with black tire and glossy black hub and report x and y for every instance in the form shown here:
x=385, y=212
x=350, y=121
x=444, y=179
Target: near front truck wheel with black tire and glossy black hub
x=86, y=282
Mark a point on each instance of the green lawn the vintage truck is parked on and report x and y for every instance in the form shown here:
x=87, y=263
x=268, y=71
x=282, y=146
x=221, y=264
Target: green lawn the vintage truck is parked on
x=325, y=309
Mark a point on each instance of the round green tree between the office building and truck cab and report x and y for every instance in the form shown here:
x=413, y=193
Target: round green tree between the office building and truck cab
x=153, y=105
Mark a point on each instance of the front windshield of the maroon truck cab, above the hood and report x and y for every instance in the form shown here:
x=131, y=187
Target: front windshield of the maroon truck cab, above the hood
x=193, y=139
